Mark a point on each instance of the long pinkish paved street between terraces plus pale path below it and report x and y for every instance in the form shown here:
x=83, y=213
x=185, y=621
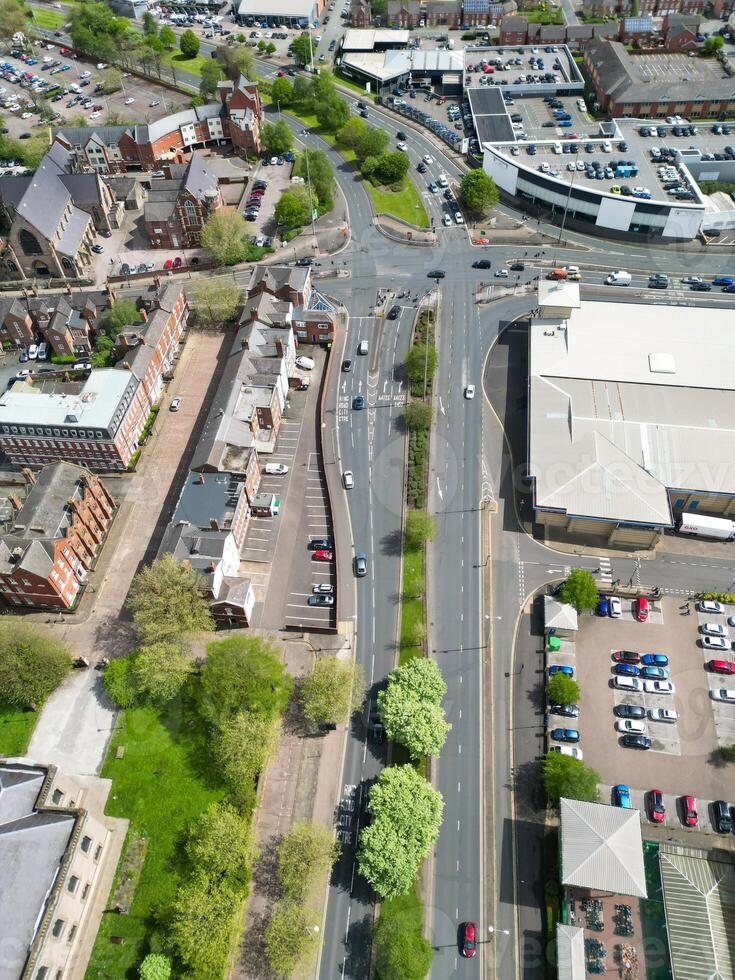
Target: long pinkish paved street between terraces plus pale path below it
x=77, y=720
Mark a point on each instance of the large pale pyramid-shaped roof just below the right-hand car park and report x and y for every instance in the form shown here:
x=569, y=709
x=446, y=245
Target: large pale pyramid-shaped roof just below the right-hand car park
x=601, y=848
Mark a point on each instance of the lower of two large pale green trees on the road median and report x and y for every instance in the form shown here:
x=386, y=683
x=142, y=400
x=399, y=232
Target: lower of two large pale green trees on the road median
x=406, y=815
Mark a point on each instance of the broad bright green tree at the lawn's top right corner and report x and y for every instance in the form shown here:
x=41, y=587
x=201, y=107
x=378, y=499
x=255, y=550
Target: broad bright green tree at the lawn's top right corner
x=243, y=674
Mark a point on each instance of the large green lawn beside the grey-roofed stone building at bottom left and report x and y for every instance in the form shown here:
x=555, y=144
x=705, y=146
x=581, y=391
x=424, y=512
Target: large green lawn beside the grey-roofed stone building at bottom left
x=161, y=785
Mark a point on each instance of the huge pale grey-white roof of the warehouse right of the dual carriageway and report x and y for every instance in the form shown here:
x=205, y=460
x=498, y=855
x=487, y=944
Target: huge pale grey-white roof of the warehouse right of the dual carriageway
x=628, y=402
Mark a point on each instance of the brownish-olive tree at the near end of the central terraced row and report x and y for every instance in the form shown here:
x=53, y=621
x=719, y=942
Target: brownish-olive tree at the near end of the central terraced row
x=166, y=601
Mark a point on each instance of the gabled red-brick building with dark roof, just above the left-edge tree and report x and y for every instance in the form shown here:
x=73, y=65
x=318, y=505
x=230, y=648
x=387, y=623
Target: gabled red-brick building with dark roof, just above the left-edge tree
x=54, y=538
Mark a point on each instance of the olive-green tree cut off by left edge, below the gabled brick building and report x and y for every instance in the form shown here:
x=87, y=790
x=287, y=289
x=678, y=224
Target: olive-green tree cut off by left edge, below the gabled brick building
x=32, y=664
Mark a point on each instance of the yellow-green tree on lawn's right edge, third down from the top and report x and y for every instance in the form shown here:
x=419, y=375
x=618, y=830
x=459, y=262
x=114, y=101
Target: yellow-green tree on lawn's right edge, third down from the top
x=221, y=845
